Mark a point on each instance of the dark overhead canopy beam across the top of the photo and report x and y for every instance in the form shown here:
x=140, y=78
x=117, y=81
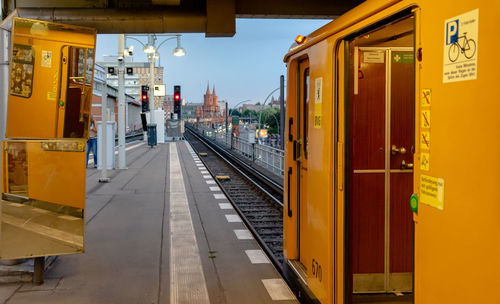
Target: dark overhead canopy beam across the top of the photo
x=215, y=18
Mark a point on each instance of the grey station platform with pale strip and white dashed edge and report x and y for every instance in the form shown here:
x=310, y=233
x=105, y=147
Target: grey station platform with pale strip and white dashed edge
x=160, y=232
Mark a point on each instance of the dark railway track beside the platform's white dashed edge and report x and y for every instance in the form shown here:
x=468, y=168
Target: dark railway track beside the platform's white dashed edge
x=257, y=200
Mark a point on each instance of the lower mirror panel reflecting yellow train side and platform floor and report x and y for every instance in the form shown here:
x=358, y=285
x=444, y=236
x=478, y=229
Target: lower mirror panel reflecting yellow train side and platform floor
x=43, y=198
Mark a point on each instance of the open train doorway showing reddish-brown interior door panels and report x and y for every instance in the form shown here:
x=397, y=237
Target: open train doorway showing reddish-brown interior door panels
x=380, y=161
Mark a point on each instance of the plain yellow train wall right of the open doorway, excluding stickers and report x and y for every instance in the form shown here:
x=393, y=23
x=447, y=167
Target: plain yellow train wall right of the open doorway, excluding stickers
x=457, y=248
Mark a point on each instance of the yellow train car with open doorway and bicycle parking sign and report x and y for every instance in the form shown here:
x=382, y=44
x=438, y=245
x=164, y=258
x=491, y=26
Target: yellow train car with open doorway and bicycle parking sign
x=391, y=143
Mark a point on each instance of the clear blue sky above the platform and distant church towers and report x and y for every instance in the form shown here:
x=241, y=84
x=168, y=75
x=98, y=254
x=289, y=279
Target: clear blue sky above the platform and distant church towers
x=246, y=66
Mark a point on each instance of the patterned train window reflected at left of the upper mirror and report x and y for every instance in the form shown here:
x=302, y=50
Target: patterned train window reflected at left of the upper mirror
x=21, y=73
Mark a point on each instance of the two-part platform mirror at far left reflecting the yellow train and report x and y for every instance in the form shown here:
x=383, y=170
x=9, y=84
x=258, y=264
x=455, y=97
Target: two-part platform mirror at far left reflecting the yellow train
x=50, y=79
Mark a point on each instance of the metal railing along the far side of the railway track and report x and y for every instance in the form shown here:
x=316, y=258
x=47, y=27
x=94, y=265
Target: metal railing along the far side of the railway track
x=265, y=156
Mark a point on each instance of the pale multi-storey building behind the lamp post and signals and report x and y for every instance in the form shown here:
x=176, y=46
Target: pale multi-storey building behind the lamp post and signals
x=133, y=82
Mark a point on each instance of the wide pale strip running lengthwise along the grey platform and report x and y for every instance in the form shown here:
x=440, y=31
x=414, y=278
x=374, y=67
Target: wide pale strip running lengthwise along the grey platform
x=187, y=281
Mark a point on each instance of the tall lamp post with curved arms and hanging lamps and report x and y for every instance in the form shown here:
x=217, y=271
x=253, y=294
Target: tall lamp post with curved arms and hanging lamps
x=152, y=51
